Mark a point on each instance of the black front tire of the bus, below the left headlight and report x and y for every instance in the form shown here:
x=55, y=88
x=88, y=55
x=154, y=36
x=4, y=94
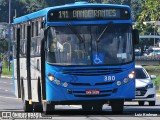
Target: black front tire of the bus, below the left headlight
x=48, y=108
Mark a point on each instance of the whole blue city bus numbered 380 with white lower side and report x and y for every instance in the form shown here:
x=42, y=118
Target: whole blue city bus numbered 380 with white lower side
x=75, y=54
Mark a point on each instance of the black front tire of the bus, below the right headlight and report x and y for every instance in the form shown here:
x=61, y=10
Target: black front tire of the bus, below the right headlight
x=117, y=106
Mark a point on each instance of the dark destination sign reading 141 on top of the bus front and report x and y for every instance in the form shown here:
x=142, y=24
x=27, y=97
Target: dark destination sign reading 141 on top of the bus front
x=88, y=14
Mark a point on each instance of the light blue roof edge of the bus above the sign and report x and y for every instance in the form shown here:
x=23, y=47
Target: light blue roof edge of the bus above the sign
x=44, y=12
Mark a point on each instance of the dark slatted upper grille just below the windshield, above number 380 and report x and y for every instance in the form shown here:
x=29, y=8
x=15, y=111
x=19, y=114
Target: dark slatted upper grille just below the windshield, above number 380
x=92, y=72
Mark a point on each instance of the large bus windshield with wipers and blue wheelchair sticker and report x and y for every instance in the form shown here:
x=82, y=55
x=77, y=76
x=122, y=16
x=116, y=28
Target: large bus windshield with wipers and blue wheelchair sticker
x=90, y=44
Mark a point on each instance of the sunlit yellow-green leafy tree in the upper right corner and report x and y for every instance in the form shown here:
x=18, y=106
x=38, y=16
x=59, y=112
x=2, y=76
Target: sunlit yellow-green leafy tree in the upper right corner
x=150, y=12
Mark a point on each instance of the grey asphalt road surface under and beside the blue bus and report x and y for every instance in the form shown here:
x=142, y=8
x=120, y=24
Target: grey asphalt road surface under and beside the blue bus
x=9, y=103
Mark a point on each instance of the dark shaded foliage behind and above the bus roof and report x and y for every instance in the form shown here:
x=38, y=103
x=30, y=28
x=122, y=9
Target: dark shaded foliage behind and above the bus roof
x=27, y=6
